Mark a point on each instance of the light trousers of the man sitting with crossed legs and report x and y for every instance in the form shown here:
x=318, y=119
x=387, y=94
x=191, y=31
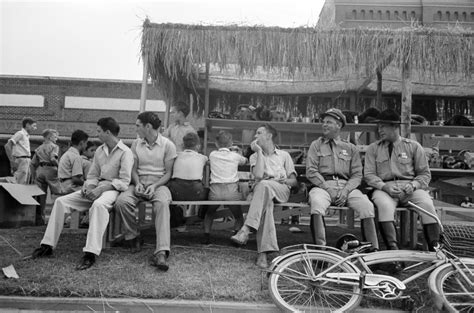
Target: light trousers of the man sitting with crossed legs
x=260, y=215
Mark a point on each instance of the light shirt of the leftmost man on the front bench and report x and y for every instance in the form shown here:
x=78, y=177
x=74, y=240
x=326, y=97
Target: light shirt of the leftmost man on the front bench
x=113, y=167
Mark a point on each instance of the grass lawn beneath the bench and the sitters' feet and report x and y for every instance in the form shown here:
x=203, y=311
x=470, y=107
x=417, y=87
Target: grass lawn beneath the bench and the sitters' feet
x=217, y=272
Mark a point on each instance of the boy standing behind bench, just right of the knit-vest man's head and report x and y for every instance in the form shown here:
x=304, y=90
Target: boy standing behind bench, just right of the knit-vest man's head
x=176, y=131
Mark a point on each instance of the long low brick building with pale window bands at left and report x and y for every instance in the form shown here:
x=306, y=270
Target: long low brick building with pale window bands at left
x=67, y=104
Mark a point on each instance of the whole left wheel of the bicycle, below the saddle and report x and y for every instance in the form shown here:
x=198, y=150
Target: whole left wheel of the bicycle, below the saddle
x=293, y=289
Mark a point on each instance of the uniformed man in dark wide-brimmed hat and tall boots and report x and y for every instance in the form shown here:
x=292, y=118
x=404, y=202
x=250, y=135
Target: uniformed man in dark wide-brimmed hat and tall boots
x=398, y=170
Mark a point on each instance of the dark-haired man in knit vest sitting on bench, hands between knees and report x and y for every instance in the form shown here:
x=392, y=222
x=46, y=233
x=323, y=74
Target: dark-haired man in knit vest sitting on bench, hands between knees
x=154, y=156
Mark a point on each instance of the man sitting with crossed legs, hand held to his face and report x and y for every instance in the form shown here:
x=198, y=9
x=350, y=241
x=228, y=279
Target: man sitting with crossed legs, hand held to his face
x=274, y=174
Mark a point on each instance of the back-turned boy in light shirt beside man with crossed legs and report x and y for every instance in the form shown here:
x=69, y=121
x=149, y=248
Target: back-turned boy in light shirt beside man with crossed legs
x=224, y=183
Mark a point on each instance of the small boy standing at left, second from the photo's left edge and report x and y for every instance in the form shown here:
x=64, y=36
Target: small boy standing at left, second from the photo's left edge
x=45, y=161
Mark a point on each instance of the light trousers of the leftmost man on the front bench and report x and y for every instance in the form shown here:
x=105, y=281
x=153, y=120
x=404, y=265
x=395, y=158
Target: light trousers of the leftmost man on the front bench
x=98, y=212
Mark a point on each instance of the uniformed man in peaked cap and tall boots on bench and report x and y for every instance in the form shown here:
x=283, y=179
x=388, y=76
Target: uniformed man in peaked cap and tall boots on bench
x=334, y=166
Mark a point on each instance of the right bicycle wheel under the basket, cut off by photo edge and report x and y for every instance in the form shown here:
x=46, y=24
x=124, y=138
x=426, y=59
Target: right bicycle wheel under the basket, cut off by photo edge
x=455, y=292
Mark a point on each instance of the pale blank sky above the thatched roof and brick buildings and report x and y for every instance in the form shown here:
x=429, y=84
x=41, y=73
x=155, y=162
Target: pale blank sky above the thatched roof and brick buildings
x=101, y=38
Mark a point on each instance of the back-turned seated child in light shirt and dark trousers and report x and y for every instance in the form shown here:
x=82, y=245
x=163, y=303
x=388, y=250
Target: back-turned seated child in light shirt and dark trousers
x=186, y=182
